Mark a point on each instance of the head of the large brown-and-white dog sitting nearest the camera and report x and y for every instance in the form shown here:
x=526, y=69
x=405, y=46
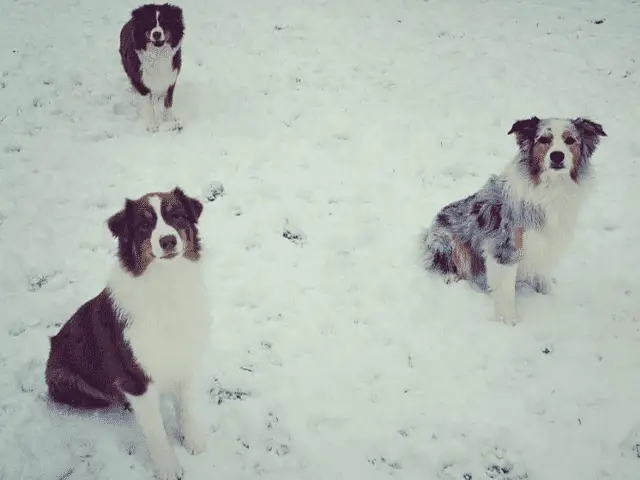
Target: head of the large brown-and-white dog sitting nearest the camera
x=157, y=227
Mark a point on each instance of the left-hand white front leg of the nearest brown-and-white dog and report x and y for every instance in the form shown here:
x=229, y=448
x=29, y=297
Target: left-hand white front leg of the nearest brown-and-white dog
x=146, y=408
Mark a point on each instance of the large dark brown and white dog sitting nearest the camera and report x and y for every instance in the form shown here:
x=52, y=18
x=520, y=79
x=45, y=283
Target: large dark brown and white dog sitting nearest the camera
x=145, y=333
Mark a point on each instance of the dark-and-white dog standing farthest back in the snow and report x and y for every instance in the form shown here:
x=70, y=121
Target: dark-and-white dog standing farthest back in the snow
x=150, y=50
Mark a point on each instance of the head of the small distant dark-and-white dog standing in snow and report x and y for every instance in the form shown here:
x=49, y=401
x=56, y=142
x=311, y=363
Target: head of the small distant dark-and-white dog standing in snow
x=156, y=25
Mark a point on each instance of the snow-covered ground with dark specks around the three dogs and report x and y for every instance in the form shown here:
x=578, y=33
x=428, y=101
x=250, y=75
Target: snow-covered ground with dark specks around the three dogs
x=347, y=123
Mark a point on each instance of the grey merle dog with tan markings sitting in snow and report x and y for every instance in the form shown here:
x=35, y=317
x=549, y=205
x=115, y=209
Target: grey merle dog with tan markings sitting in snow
x=519, y=223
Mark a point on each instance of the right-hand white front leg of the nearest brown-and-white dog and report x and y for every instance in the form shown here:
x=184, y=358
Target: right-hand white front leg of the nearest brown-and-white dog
x=188, y=410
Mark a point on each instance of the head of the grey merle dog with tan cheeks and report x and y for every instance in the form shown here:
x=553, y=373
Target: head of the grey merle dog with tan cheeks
x=557, y=146
